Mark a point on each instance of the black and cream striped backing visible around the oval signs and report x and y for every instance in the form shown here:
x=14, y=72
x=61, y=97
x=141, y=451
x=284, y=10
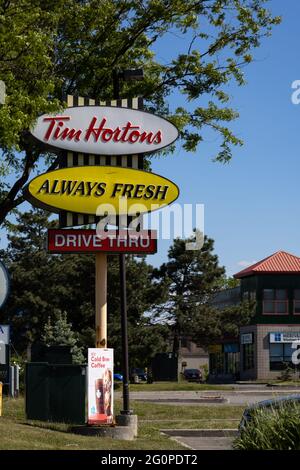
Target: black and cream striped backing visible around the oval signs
x=70, y=159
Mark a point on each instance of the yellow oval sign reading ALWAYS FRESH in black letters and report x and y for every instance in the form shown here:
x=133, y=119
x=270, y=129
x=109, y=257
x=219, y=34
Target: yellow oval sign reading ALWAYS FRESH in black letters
x=100, y=190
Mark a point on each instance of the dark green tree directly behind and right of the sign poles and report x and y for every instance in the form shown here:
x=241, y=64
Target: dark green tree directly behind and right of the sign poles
x=145, y=337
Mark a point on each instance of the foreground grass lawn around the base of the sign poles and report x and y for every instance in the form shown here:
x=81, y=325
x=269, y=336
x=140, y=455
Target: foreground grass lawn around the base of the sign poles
x=18, y=433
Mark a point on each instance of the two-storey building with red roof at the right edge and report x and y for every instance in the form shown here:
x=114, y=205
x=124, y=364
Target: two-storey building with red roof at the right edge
x=269, y=345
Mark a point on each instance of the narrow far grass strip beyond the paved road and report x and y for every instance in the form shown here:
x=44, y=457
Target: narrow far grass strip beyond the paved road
x=175, y=386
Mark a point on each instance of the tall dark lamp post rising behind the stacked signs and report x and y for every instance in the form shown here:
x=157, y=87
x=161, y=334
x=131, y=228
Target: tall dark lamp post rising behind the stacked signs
x=126, y=75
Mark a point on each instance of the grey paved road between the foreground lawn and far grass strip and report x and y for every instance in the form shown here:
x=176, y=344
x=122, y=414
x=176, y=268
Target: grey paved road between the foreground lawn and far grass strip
x=233, y=397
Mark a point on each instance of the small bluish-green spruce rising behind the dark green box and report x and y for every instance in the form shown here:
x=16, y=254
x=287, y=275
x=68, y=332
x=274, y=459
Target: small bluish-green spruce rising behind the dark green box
x=58, y=332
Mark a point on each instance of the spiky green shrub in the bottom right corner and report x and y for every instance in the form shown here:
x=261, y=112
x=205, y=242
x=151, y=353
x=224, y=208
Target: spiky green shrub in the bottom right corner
x=272, y=429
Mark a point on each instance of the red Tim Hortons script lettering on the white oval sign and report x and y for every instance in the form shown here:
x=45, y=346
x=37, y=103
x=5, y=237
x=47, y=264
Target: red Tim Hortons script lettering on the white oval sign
x=99, y=131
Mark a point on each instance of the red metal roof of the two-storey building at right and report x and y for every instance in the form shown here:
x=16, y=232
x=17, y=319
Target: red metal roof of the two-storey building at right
x=279, y=262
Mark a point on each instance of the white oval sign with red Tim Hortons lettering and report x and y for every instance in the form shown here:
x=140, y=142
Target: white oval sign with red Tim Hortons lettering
x=105, y=130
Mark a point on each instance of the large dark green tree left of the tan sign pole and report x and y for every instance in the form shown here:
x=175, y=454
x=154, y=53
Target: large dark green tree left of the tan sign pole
x=42, y=284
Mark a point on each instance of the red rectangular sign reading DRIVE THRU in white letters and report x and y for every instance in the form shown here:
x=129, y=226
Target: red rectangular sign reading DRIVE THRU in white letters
x=111, y=241
